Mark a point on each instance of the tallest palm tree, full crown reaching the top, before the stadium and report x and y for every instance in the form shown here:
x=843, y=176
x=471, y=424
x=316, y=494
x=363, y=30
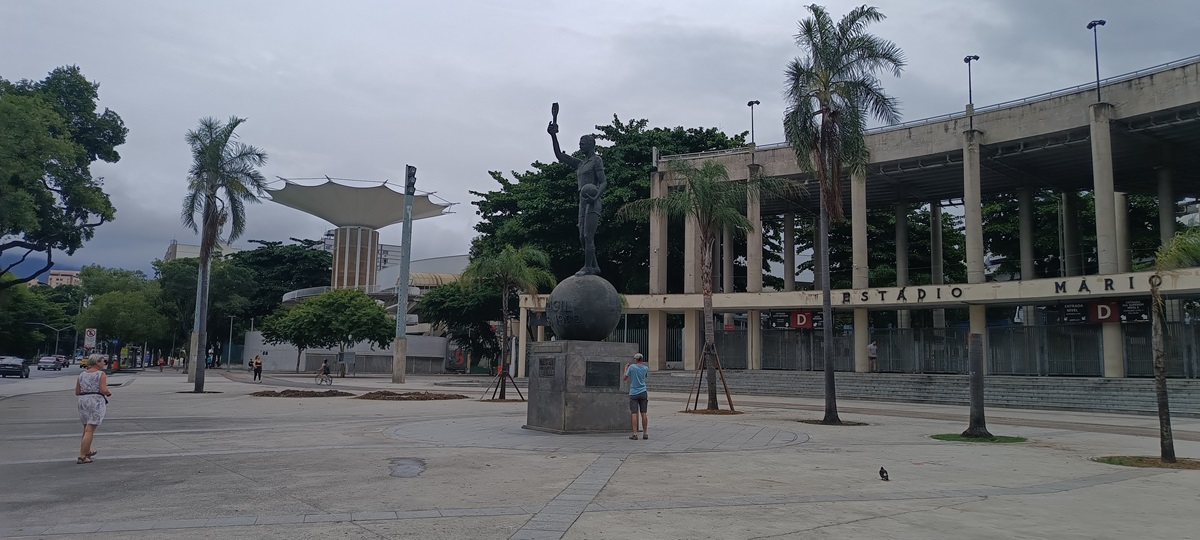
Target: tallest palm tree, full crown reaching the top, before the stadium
x=830, y=94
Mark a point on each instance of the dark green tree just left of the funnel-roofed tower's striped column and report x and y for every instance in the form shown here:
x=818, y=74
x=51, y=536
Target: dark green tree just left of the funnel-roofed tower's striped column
x=278, y=269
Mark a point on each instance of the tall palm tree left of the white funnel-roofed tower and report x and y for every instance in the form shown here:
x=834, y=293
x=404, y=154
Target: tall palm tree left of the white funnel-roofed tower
x=223, y=179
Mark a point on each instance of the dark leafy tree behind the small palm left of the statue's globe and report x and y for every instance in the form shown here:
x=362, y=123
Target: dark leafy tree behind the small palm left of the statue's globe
x=466, y=314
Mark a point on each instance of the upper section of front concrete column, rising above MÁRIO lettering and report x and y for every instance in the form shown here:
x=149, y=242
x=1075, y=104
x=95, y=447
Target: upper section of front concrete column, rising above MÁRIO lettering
x=1102, y=183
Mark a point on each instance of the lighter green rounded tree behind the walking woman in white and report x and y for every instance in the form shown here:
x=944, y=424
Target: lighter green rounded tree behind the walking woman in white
x=125, y=316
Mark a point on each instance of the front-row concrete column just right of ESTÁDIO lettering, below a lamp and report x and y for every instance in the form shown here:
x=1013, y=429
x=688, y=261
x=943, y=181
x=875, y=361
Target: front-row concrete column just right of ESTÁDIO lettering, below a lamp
x=973, y=206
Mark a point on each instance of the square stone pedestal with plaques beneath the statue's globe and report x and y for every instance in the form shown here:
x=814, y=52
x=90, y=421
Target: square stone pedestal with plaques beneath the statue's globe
x=575, y=387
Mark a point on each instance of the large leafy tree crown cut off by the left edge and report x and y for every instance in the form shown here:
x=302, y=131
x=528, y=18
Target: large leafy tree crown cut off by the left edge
x=50, y=136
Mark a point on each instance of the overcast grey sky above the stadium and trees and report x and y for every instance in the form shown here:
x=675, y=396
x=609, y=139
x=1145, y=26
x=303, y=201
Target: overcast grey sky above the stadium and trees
x=458, y=88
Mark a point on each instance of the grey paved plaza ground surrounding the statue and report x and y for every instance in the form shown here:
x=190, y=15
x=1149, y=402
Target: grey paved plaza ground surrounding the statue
x=231, y=466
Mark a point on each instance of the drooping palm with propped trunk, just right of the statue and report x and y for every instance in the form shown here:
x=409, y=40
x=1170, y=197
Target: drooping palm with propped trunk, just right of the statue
x=715, y=205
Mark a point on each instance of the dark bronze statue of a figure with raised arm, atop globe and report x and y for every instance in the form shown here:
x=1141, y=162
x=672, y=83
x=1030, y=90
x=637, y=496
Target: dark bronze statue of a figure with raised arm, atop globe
x=592, y=183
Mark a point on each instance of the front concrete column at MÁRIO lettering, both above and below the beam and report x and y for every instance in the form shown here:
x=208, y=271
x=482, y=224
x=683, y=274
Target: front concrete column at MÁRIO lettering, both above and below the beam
x=1106, y=226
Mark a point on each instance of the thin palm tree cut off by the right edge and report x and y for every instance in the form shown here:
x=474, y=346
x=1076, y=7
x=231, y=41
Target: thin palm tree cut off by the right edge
x=1183, y=251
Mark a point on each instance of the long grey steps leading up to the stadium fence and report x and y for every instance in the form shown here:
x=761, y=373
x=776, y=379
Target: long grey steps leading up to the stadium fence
x=1097, y=395
